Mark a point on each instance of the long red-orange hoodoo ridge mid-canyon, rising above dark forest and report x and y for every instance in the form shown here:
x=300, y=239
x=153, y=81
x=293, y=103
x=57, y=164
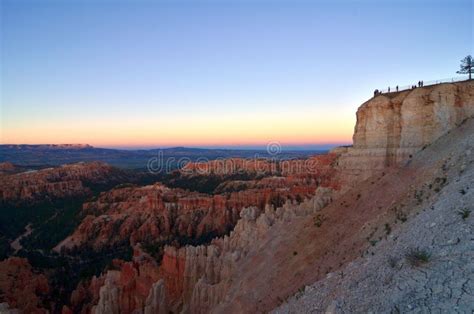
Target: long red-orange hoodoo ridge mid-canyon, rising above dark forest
x=157, y=213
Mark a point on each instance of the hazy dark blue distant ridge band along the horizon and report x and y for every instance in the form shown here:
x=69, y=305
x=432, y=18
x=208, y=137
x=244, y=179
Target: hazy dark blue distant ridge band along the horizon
x=58, y=154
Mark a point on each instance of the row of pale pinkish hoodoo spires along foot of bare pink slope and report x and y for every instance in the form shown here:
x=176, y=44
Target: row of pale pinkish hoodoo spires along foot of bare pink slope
x=196, y=279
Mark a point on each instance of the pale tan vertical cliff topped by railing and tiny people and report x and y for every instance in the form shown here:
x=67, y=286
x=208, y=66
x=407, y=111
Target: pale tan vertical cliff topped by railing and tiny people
x=391, y=128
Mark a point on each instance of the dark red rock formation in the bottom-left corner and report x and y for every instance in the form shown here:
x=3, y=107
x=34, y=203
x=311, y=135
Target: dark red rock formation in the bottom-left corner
x=20, y=287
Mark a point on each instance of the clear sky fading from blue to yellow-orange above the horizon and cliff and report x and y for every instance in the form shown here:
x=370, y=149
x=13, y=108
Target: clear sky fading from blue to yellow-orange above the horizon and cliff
x=214, y=73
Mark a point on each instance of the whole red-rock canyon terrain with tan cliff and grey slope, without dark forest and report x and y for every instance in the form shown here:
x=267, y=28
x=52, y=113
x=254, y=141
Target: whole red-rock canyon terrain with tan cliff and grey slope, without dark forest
x=311, y=234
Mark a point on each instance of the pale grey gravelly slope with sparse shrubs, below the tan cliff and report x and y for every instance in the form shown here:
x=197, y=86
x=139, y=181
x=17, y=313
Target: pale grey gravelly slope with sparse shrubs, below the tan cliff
x=390, y=278
